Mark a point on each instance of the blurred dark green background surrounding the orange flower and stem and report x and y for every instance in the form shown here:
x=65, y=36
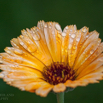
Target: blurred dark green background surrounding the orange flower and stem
x=16, y=15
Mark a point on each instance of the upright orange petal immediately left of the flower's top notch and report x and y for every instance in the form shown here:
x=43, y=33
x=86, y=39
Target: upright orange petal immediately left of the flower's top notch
x=52, y=33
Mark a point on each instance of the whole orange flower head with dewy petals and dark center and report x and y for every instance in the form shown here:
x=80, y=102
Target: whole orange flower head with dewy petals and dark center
x=45, y=58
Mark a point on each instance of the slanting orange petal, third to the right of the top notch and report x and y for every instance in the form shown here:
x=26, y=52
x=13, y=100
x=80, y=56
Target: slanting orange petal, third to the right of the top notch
x=88, y=45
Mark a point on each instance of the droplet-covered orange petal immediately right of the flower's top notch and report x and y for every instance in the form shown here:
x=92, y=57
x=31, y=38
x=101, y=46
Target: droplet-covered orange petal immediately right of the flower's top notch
x=68, y=35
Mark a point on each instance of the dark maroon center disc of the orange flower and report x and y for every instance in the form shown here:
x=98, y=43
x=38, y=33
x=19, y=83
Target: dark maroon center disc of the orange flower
x=58, y=73
